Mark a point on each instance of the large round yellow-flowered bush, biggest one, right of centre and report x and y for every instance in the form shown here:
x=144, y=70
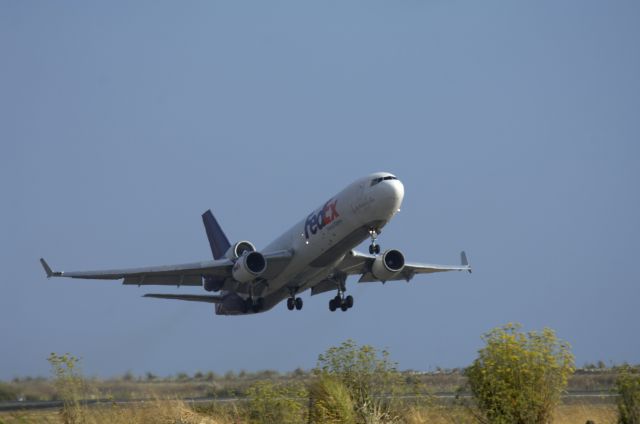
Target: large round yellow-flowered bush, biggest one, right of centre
x=518, y=377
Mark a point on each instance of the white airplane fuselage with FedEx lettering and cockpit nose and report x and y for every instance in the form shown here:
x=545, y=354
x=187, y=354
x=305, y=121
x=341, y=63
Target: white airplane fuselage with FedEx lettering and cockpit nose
x=322, y=239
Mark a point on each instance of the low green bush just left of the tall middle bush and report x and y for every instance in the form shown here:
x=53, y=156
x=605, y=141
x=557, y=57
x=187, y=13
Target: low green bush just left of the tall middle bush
x=273, y=404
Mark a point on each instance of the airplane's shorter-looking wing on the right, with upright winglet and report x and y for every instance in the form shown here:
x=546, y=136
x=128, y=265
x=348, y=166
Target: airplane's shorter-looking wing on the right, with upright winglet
x=361, y=263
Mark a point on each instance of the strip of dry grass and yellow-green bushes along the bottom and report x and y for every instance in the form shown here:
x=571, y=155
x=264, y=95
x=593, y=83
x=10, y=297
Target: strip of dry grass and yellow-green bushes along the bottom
x=517, y=379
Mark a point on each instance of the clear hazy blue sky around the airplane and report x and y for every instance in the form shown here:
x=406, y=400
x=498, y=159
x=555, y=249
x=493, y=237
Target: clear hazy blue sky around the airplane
x=514, y=126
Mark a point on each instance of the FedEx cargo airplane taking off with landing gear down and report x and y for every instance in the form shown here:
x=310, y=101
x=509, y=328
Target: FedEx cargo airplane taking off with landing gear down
x=315, y=254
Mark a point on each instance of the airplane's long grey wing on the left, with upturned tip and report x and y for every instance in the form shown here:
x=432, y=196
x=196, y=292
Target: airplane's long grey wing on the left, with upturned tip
x=173, y=275
